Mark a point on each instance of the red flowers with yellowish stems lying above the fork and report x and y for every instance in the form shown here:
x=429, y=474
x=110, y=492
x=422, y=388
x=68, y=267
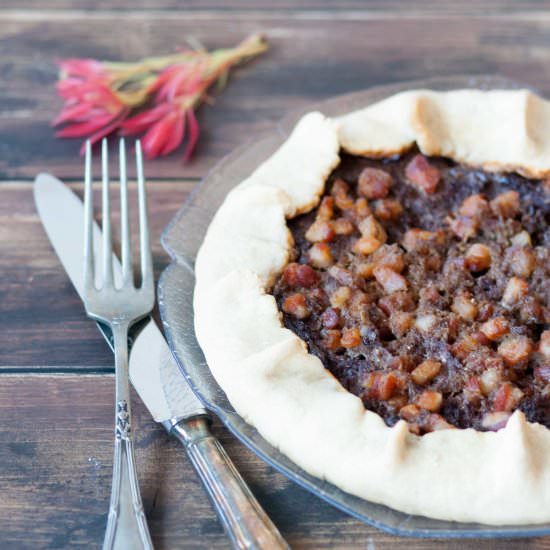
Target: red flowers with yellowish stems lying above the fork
x=103, y=97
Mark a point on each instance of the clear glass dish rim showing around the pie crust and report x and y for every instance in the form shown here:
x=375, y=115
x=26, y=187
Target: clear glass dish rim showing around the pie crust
x=182, y=239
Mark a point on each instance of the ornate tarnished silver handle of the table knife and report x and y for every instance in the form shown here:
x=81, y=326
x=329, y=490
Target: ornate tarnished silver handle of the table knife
x=244, y=520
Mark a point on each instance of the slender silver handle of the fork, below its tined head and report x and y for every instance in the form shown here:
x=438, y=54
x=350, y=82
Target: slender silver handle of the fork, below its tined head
x=126, y=524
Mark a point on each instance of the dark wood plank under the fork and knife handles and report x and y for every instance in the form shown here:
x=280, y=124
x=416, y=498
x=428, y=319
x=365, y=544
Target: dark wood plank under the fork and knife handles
x=55, y=464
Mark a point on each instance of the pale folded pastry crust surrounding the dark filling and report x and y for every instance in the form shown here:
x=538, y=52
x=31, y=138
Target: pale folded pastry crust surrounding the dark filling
x=294, y=402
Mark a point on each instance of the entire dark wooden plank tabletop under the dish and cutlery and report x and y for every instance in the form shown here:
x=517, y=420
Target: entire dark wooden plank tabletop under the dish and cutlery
x=56, y=382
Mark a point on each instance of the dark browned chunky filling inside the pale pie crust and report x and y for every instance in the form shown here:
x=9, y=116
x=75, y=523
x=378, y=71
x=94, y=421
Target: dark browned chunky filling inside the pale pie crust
x=423, y=287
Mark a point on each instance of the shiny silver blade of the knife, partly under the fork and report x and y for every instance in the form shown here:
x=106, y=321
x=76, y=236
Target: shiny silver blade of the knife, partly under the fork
x=153, y=371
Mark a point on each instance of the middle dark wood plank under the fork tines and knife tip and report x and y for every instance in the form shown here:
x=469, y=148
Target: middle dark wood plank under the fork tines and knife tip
x=43, y=324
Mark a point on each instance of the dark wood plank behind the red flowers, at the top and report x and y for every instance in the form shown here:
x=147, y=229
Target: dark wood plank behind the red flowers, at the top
x=312, y=57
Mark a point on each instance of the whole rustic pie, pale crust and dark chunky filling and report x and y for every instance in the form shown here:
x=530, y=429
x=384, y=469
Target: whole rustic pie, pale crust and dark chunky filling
x=374, y=299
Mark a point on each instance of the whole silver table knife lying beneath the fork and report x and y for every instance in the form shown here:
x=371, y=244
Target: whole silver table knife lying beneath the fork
x=159, y=383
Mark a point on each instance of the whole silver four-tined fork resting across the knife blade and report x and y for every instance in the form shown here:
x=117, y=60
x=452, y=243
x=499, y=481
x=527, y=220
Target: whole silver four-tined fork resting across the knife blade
x=119, y=308
